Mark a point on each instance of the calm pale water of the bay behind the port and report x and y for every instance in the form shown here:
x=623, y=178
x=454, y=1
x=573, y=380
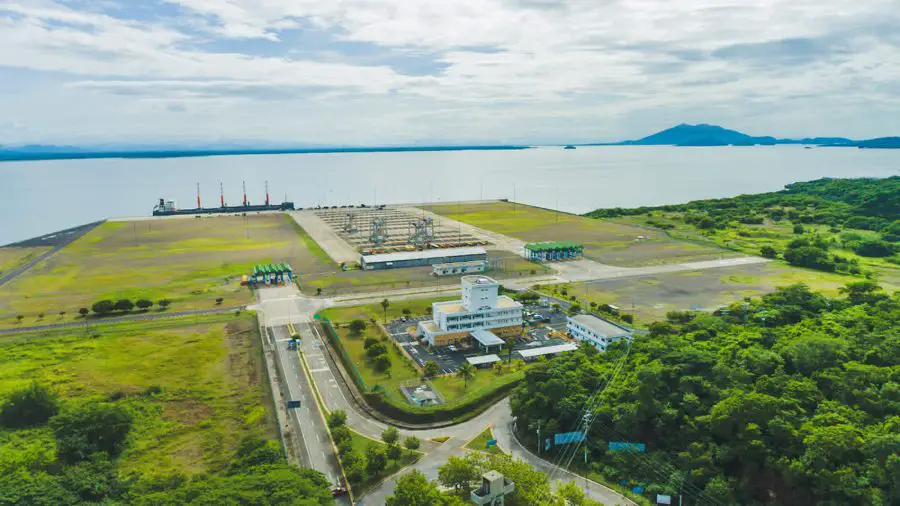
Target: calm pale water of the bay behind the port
x=45, y=196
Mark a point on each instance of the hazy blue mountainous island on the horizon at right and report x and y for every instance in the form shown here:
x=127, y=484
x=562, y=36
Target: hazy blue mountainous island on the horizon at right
x=713, y=135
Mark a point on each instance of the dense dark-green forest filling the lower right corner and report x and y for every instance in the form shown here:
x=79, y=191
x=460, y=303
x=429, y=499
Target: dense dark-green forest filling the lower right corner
x=793, y=398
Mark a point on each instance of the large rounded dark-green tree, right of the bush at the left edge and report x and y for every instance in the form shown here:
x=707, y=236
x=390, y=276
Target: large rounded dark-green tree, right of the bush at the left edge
x=90, y=428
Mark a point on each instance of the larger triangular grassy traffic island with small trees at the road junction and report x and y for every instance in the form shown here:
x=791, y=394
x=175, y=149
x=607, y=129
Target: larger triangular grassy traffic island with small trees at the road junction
x=367, y=462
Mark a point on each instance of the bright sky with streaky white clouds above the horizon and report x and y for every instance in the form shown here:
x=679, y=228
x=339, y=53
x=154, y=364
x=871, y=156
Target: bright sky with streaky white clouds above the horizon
x=390, y=72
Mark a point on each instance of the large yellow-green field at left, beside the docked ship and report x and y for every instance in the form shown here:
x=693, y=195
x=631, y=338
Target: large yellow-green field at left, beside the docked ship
x=189, y=261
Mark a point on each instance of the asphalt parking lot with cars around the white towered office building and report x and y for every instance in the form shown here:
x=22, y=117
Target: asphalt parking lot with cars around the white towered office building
x=449, y=360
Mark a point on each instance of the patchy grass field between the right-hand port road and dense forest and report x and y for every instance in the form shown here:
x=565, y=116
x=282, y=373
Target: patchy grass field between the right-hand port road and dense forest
x=653, y=296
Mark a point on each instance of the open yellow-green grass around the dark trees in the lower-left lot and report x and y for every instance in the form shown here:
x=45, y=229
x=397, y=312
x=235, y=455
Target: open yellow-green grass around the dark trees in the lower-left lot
x=194, y=386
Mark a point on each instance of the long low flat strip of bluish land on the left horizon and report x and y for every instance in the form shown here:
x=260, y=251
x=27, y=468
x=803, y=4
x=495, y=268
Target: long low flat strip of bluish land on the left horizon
x=46, y=152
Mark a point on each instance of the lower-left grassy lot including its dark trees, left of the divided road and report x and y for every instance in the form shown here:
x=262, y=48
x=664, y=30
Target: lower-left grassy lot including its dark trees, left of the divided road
x=168, y=412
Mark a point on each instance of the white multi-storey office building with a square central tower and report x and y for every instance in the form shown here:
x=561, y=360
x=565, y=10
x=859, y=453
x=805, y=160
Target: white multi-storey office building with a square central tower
x=482, y=315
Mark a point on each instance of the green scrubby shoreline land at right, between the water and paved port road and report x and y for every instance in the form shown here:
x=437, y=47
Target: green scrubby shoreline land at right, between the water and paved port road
x=834, y=225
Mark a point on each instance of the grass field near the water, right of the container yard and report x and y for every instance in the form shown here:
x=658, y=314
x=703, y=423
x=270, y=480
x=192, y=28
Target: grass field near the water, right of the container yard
x=605, y=241
